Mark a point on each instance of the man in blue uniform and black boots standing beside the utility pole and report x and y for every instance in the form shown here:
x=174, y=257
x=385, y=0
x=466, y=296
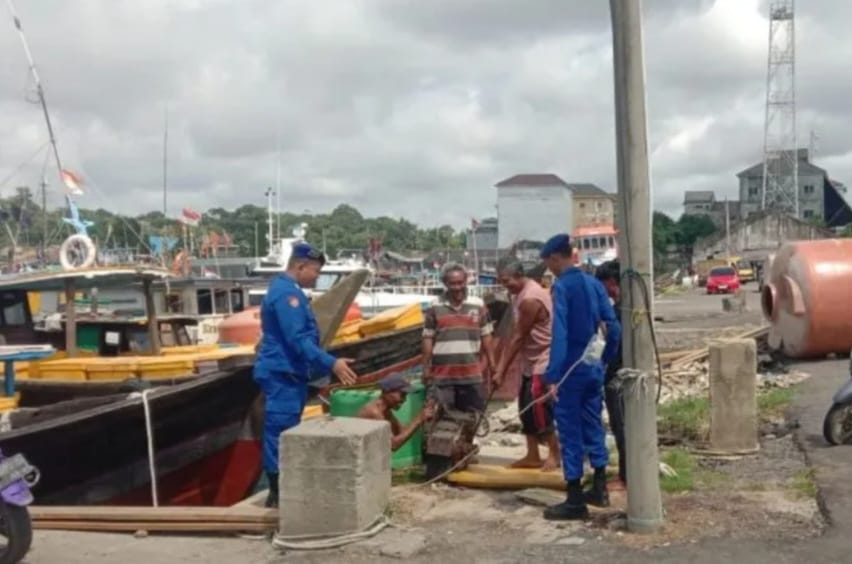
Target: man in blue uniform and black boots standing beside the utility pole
x=581, y=309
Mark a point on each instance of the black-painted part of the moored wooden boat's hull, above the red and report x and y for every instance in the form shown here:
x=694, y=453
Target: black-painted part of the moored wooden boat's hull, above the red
x=100, y=454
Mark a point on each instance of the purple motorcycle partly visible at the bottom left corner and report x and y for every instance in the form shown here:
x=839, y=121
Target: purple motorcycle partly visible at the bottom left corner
x=17, y=476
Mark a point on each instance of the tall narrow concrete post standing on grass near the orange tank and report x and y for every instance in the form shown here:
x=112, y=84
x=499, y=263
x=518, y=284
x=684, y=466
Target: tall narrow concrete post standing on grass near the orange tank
x=733, y=396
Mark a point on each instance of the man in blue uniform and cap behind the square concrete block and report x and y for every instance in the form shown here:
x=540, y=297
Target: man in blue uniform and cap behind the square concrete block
x=289, y=354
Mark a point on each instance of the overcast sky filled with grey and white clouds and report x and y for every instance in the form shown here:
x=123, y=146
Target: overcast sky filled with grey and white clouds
x=406, y=108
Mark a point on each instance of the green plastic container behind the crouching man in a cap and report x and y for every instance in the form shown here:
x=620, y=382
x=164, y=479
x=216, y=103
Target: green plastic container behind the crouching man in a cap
x=347, y=403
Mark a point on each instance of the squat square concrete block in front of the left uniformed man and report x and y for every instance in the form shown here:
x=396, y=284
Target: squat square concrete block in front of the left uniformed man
x=335, y=476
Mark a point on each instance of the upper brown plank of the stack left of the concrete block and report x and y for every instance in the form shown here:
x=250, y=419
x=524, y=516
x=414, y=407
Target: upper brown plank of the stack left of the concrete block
x=154, y=514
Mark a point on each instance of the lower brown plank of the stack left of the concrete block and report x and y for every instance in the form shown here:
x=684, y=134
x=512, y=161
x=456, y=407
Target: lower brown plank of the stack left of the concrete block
x=132, y=526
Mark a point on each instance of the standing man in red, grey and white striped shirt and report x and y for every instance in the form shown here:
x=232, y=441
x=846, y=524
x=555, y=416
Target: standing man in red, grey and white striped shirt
x=456, y=333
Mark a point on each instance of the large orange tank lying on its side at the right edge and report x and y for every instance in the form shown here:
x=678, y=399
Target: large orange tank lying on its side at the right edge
x=807, y=298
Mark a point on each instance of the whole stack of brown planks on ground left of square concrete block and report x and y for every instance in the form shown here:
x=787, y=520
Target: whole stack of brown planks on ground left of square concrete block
x=167, y=519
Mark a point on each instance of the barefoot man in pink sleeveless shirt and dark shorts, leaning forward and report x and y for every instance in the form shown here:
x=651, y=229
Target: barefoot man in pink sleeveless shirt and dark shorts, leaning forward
x=532, y=309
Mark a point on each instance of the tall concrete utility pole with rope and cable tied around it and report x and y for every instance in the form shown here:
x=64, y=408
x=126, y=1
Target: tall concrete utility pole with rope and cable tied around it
x=644, y=504
